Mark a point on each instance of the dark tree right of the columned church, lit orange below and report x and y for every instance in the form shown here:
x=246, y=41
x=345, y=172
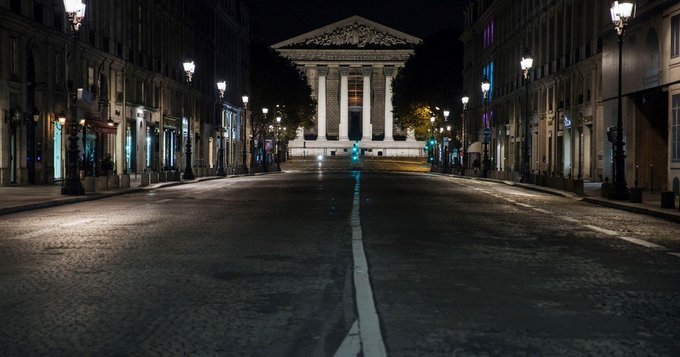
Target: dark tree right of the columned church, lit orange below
x=430, y=82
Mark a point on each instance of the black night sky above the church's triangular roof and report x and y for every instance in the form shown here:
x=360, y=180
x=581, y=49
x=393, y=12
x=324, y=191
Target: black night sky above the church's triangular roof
x=277, y=20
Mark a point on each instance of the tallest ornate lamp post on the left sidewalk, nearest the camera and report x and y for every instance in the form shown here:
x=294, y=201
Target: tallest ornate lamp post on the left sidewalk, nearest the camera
x=75, y=10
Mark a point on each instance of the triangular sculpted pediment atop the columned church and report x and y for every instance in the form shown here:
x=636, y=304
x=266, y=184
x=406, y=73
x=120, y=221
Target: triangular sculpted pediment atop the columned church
x=352, y=33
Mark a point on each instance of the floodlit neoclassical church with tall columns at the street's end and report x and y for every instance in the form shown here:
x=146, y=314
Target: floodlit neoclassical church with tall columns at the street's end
x=350, y=65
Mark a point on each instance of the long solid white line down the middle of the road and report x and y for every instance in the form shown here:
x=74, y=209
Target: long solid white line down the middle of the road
x=372, y=344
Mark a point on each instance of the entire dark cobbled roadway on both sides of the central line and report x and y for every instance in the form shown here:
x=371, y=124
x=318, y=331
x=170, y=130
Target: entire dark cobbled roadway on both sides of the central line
x=263, y=266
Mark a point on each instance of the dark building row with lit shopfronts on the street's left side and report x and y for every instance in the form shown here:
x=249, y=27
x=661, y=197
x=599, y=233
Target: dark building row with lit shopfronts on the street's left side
x=127, y=68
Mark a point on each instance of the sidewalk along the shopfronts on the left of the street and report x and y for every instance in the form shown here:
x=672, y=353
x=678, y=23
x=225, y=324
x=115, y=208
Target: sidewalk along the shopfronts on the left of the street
x=25, y=198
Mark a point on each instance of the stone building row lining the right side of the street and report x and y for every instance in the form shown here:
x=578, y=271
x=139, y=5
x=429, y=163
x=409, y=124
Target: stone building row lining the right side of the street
x=572, y=87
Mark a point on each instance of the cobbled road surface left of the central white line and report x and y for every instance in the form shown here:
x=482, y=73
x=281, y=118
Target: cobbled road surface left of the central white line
x=244, y=267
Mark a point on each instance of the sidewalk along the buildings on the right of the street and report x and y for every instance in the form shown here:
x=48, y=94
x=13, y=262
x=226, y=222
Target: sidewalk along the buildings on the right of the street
x=651, y=202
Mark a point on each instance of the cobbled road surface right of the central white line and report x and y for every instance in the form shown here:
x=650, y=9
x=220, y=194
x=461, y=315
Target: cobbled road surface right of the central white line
x=464, y=267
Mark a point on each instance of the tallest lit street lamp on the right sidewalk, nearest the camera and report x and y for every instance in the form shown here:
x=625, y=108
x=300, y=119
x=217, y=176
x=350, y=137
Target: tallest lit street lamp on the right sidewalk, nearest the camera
x=621, y=12
